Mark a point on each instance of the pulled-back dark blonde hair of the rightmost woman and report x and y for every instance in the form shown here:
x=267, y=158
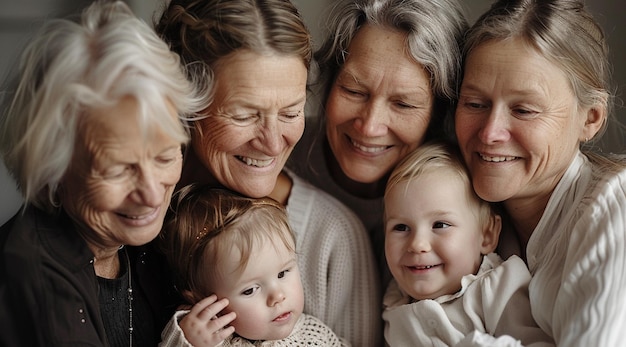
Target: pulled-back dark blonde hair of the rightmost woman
x=564, y=32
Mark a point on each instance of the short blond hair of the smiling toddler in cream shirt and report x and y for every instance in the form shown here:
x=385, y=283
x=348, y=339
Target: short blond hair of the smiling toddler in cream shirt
x=435, y=157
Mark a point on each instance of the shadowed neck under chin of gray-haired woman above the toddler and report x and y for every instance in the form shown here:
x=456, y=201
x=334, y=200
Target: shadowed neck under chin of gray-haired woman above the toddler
x=362, y=190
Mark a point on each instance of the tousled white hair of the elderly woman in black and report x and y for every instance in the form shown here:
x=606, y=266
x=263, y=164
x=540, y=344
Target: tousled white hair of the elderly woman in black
x=74, y=66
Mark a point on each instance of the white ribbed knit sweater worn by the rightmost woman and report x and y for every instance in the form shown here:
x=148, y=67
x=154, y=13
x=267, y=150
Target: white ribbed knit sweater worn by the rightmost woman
x=577, y=257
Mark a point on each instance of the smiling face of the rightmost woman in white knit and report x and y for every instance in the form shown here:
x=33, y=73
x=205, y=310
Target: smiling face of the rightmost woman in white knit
x=517, y=122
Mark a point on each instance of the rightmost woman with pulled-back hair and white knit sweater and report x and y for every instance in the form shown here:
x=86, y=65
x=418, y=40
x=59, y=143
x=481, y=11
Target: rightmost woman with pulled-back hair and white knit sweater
x=536, y=89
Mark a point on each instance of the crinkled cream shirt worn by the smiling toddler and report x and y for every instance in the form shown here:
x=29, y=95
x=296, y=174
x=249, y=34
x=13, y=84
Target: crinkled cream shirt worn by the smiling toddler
x=494, y=301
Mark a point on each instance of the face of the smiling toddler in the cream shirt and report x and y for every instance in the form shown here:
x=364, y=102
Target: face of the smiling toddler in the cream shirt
x=433, y=233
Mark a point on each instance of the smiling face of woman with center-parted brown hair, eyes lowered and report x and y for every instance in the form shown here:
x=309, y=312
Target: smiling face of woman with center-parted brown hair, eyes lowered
x=254, y=122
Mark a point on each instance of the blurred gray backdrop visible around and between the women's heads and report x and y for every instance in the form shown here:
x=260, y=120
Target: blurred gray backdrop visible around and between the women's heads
x=20, y=19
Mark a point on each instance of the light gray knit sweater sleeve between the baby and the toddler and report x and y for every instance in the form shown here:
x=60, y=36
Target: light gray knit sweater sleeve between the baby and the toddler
x=339, y=277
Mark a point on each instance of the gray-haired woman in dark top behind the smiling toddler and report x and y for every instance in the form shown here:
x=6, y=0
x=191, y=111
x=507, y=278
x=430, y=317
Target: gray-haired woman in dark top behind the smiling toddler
x=388, y=73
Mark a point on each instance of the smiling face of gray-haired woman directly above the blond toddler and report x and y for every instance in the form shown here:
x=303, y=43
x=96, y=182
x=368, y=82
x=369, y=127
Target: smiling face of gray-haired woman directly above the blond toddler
x=379, y=107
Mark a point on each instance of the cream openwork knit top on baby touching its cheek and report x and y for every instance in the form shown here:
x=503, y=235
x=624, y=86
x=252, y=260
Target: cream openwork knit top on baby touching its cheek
x=308, y=331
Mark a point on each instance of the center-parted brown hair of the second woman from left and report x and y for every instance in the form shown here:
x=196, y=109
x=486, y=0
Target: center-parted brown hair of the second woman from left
x=204, y=31
